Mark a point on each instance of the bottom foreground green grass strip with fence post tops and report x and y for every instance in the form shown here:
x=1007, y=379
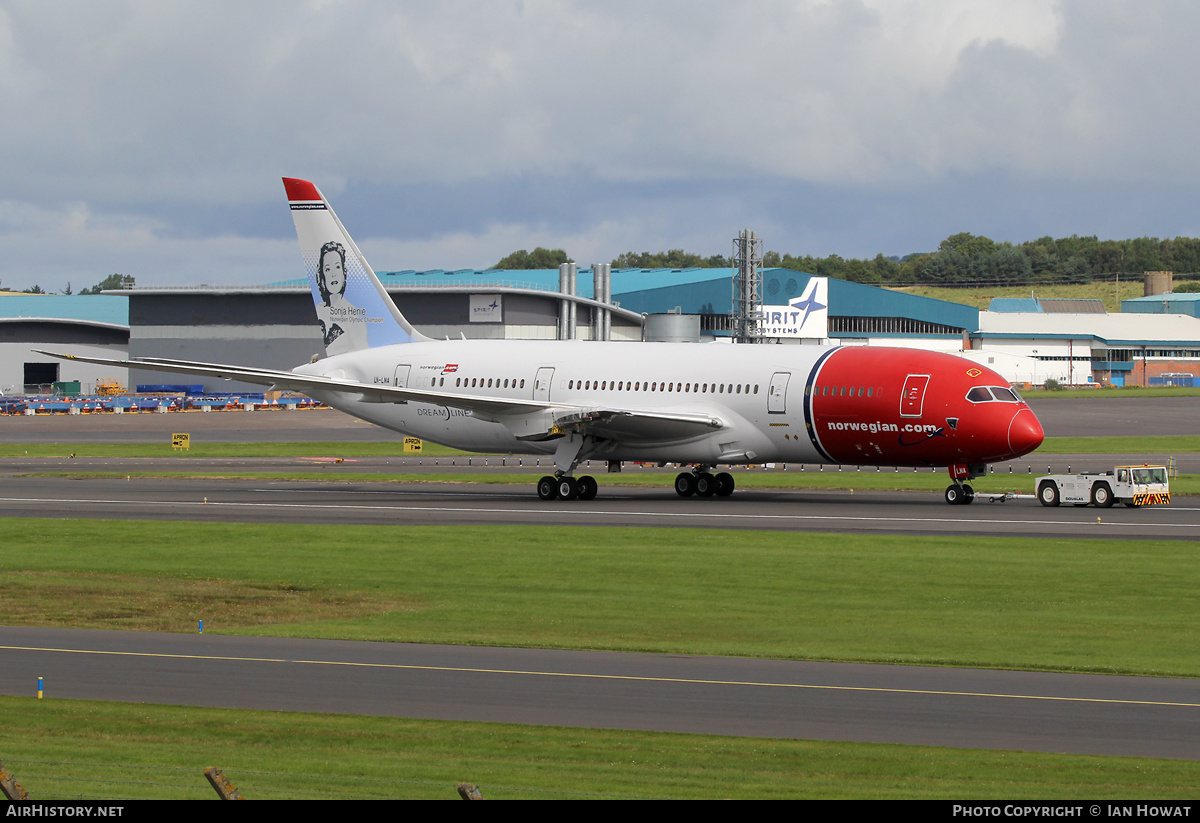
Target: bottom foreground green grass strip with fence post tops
x=71, y=749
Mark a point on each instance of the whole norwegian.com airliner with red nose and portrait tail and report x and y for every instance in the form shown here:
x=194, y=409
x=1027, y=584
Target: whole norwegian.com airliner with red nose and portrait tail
x=695, y=405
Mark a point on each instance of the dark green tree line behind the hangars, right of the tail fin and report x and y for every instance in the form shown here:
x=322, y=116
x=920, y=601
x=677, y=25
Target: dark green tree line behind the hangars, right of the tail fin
x=963, y=260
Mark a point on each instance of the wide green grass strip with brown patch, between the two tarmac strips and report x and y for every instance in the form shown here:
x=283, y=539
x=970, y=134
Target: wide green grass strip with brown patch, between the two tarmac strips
x=1070, y=605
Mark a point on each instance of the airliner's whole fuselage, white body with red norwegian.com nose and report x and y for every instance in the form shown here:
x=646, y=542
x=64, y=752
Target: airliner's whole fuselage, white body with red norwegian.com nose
x=692, y=403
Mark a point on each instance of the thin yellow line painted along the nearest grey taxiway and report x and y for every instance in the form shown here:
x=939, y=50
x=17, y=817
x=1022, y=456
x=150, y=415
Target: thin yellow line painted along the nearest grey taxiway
x=467, y=670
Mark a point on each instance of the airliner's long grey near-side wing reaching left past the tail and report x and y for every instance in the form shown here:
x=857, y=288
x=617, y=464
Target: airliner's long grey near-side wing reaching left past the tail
x=526, y=418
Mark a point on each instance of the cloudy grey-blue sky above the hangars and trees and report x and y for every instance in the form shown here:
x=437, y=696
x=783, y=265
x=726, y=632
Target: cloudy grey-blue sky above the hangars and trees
x=149, y=139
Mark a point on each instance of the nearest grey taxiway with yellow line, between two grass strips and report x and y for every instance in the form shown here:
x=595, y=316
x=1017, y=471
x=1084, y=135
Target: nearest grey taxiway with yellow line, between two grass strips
x=945, y=707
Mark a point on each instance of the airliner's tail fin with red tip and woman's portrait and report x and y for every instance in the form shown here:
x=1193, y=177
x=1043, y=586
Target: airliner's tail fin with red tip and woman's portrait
x=355, y=310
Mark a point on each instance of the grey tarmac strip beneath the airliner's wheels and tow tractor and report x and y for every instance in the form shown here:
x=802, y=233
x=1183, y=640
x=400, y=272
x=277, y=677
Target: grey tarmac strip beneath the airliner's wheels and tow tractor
x=470, y=504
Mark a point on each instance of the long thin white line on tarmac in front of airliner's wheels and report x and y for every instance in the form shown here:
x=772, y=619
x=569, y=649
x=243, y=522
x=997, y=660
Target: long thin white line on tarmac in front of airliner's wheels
x=688, y=515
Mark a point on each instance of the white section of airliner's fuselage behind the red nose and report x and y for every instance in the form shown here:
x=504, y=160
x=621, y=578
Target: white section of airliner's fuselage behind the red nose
x=728, y=382
